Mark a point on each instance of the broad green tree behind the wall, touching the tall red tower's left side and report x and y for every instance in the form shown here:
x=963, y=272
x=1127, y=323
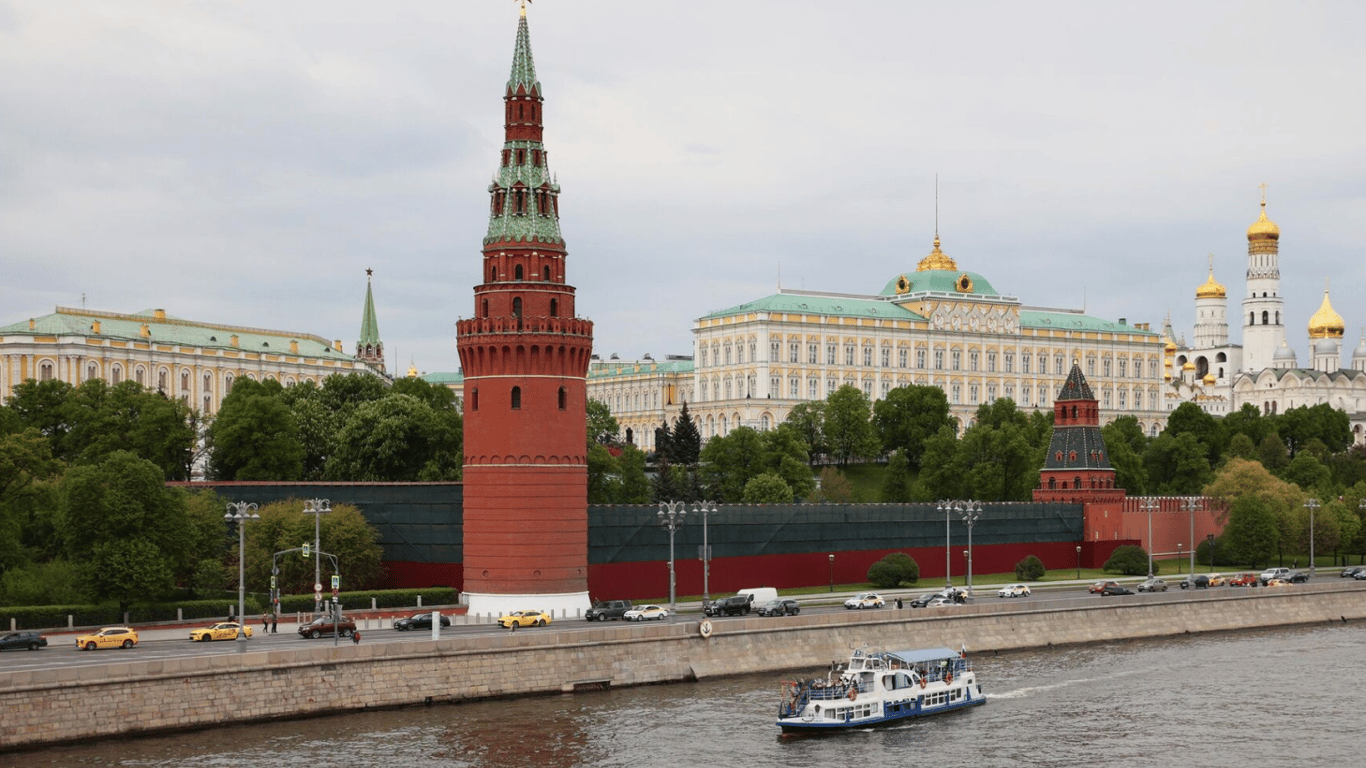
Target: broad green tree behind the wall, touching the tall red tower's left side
x=398, y=439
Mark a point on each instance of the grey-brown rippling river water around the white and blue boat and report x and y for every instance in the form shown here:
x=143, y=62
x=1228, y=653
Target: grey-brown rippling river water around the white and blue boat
x=1281, y=698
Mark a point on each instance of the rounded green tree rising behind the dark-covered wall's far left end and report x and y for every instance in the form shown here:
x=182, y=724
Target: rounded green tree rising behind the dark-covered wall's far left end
x=256, y=435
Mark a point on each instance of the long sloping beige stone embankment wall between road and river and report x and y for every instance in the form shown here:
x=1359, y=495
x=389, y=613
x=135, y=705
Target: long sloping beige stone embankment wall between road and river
x=81, y=703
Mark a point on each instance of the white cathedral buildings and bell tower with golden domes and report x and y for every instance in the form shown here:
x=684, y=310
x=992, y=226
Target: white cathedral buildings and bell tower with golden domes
x=1222, y=378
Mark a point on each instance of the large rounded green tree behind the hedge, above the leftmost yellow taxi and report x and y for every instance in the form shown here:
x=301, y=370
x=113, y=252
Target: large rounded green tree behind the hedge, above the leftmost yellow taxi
x=124, y=528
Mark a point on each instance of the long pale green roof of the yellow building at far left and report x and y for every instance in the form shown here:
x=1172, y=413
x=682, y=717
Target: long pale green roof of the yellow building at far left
x=169, y=330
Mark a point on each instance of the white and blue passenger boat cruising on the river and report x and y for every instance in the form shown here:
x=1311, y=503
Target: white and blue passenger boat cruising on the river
x=879, y=688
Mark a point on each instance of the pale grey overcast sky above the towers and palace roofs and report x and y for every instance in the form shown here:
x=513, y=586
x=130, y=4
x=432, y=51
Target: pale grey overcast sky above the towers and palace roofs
x=247, y=162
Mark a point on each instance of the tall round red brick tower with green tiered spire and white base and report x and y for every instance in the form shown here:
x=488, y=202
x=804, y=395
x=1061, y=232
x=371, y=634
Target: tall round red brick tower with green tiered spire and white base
x=525, y=357
